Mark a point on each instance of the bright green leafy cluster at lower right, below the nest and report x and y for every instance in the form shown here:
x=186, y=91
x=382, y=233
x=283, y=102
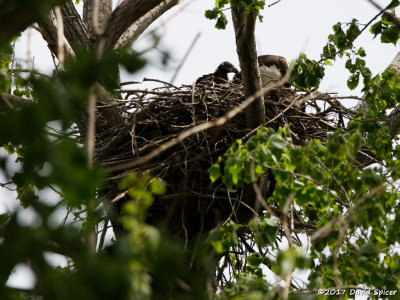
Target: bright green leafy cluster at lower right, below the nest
x=324, y=185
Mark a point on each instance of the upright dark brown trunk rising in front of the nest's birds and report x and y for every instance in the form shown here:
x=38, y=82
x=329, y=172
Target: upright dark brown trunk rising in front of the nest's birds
x=244, y=25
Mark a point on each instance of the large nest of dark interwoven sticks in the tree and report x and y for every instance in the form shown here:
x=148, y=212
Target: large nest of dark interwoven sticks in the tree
x=192, y=205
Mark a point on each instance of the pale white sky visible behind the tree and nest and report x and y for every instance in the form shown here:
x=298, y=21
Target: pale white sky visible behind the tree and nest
x=289, y=27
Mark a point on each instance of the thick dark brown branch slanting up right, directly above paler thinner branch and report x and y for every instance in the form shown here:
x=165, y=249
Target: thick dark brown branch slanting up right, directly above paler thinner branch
x=127, y=13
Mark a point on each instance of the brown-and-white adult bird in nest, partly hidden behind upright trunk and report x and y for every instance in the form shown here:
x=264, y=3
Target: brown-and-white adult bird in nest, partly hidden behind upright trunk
x=272, y=69
